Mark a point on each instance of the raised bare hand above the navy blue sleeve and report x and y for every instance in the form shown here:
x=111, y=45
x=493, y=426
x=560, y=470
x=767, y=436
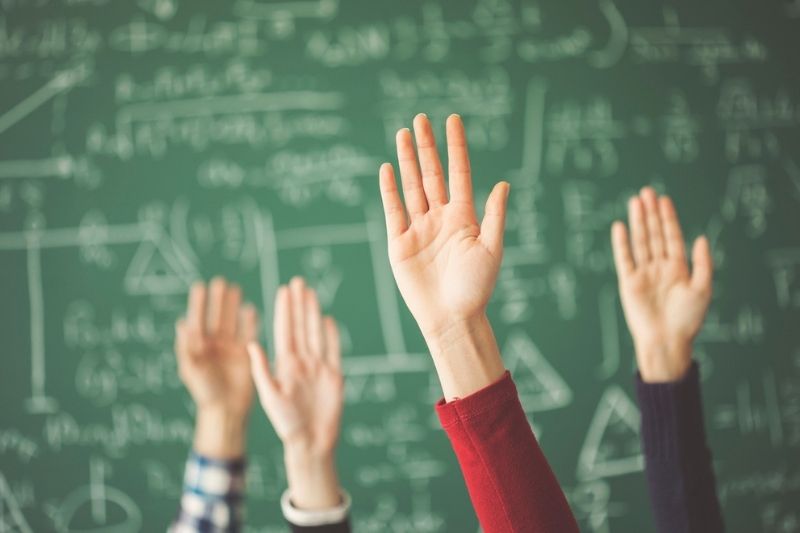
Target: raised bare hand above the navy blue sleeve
x=664, y=303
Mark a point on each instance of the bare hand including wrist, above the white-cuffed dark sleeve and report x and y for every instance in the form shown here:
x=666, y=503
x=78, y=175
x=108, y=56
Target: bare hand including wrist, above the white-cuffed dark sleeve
x=303, y=396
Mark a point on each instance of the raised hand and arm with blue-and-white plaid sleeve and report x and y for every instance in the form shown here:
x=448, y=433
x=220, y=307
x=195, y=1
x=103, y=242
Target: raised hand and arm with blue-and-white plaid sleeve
x=212, y=357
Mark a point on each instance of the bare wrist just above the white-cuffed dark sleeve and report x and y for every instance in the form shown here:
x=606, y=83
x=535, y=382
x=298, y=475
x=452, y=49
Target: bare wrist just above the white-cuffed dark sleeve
x=311, y=475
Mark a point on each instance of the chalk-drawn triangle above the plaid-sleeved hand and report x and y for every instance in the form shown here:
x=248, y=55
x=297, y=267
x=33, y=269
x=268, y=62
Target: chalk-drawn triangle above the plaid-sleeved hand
x=156, y=269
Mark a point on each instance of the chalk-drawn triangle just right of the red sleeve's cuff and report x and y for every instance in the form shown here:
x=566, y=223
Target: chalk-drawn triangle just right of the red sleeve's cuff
x=540, y=387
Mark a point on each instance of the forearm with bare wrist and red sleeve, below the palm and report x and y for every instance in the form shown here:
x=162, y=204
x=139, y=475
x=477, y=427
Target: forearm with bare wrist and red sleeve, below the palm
x=508, y=478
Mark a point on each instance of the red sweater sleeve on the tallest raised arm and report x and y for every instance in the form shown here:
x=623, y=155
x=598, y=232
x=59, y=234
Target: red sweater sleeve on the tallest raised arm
x=509, y=481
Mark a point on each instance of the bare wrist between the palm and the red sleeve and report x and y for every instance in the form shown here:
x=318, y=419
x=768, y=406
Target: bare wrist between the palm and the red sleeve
x=465, y=354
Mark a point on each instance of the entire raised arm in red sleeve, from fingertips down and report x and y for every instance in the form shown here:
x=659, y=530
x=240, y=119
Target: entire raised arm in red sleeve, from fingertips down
x=446, y=264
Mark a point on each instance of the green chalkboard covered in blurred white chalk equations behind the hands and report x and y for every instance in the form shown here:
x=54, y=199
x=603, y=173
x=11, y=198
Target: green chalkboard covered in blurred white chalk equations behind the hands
x=147, y=144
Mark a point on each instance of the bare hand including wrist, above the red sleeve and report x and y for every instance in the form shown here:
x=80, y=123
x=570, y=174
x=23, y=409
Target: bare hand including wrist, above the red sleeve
x=444, y=262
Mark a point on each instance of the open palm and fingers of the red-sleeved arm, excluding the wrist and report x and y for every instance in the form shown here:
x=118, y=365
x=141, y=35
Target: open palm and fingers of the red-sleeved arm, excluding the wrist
x=444, y=263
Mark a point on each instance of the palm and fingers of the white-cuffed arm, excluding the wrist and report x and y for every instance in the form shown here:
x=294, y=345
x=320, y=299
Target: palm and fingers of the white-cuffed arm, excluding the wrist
x=303, y=397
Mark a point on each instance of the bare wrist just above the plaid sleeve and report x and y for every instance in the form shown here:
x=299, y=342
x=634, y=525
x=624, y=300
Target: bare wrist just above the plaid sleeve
x=220, y=433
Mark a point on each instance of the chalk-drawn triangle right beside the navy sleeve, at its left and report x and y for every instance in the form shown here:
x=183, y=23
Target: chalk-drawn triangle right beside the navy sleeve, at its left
x=612, y=446
